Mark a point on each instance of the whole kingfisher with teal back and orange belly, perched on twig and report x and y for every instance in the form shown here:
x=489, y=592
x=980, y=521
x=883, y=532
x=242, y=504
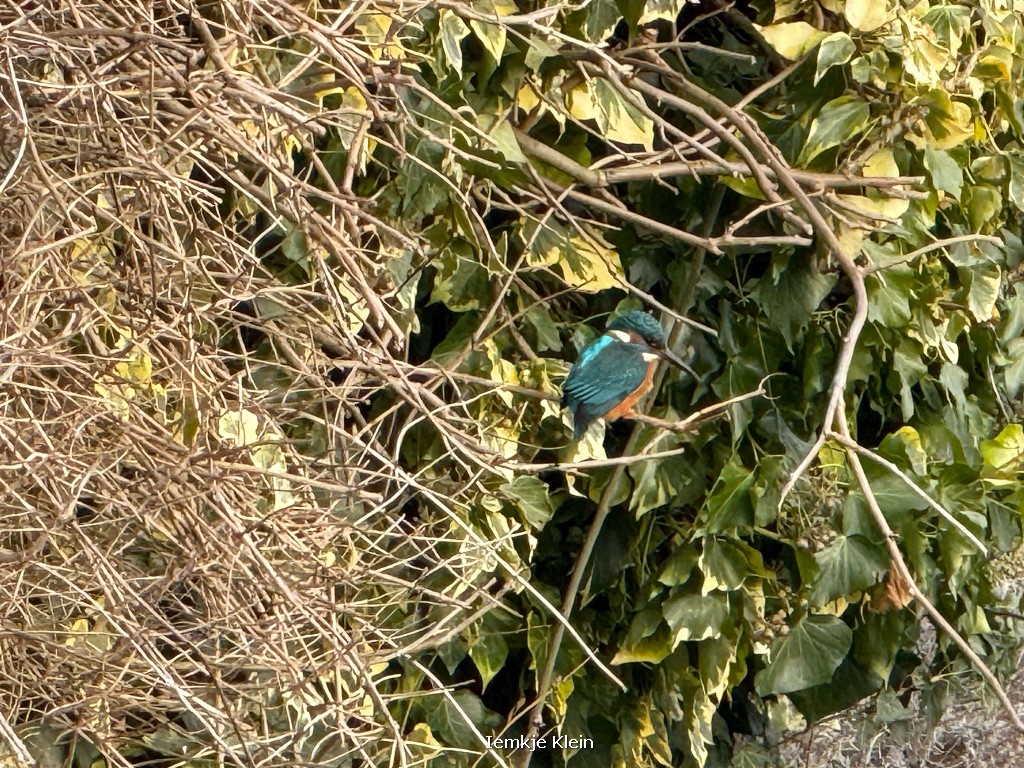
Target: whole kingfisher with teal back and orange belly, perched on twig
x=616, y=370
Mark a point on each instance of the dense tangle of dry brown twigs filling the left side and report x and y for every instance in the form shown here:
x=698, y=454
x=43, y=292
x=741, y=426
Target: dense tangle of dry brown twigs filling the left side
x=170, y=552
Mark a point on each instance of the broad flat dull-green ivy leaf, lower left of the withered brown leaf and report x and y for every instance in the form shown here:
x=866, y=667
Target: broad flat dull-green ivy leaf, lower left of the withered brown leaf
x=807, y=657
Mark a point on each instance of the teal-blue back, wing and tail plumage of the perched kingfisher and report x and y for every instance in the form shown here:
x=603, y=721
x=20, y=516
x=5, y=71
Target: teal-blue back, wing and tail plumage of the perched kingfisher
x=607, y=373
